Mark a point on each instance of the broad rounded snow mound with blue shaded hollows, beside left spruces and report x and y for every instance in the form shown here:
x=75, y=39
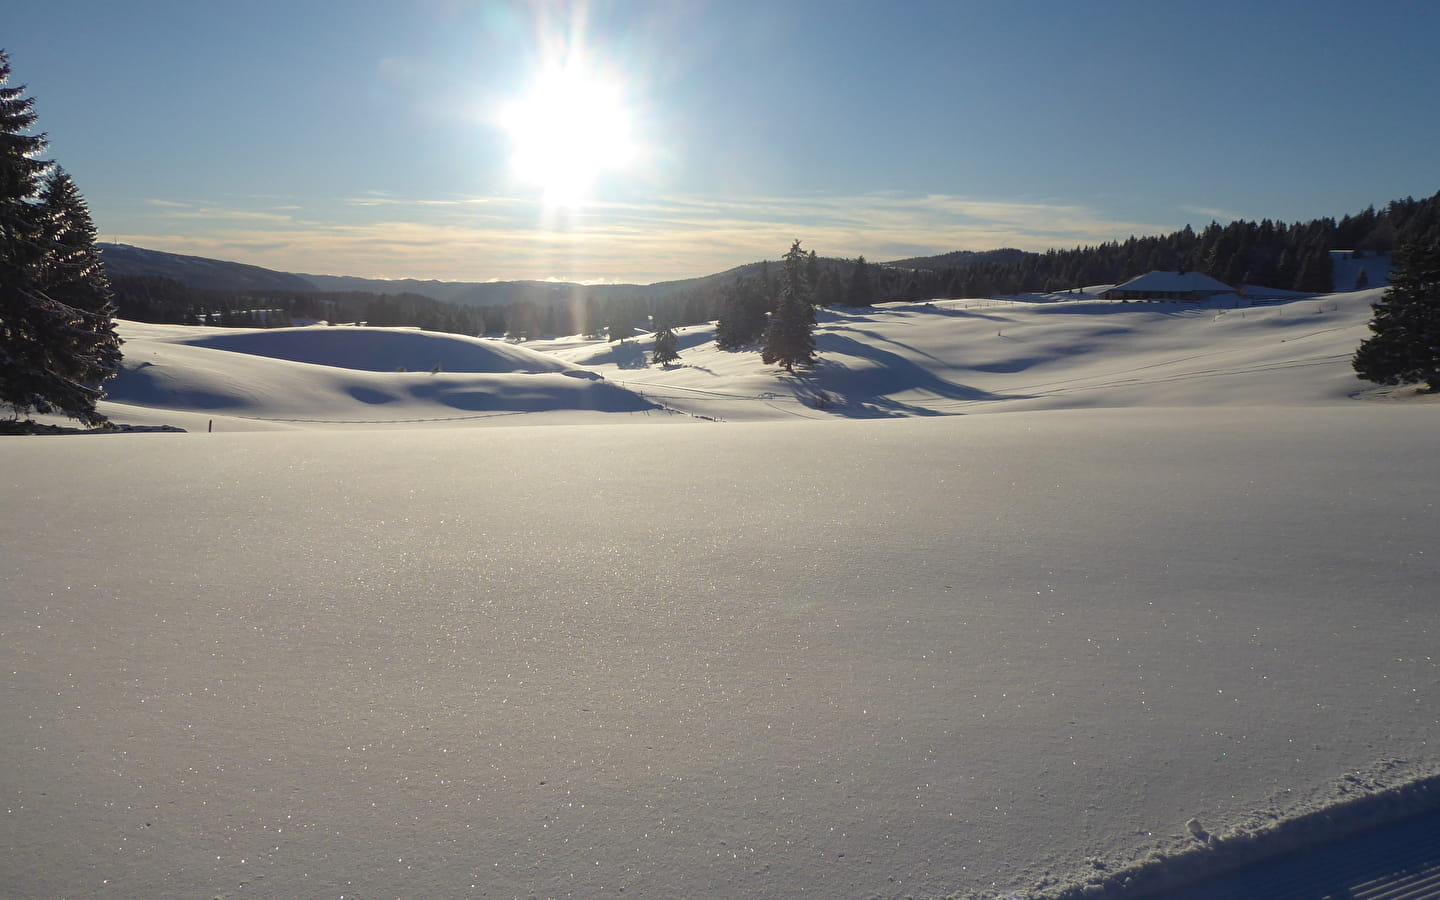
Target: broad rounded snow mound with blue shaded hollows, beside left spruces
x=244, y=378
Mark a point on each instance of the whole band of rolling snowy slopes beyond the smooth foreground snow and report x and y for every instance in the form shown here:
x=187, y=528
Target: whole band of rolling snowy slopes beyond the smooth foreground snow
x=945, y=358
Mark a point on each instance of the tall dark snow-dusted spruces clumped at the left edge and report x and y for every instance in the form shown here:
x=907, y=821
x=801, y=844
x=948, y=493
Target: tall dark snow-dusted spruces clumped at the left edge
x=57, y=335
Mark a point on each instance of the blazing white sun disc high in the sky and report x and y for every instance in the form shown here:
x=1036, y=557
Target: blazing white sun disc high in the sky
x=570, y=130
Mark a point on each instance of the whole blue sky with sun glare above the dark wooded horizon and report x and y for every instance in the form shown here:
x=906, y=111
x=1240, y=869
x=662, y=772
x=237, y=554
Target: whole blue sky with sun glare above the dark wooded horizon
x=379, y=139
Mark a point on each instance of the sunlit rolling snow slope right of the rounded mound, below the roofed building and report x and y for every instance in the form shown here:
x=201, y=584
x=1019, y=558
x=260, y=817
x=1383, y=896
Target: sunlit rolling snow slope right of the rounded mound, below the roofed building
x=978, y=356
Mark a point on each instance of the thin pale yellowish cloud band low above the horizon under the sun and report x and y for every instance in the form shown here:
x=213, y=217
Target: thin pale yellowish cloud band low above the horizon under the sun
x=505, y=238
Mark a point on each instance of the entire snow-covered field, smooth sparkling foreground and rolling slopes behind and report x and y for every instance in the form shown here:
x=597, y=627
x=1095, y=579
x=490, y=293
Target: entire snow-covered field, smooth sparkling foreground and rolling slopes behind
x=842, y=634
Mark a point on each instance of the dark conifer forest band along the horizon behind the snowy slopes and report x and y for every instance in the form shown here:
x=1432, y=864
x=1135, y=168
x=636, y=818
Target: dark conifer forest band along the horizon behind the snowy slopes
x=1292, y=257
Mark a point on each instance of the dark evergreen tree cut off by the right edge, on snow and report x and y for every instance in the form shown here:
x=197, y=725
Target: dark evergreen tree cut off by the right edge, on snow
x=1406, y=343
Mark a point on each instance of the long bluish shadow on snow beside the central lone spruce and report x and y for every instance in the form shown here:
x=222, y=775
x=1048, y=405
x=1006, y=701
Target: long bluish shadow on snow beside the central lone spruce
x=869, y=392
